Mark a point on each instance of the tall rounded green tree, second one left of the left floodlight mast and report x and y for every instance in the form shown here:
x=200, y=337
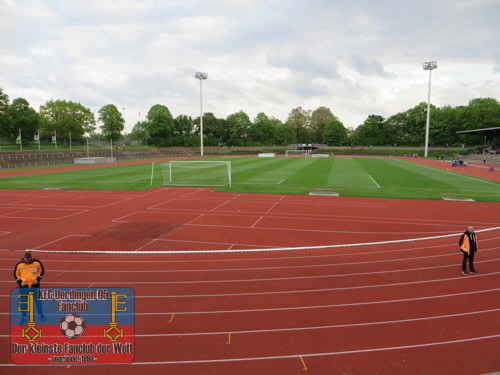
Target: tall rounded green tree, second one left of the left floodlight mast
x=160, y=126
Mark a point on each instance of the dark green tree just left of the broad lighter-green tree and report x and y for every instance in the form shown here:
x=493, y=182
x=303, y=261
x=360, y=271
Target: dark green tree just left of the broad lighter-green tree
x=23, y=117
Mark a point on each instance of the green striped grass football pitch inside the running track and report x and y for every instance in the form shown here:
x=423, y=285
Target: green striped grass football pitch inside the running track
x=367, y=177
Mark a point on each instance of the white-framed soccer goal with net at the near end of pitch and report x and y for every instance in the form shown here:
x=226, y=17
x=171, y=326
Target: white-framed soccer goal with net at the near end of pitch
x=193, y=173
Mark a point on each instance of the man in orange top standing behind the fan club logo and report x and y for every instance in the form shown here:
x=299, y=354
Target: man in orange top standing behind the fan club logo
x=28, y=272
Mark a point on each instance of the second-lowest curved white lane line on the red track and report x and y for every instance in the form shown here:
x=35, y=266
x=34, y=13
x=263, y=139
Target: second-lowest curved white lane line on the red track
x=310, y=328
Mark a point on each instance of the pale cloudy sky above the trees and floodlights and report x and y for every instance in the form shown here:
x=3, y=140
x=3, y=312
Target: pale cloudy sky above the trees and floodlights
x=356, y=57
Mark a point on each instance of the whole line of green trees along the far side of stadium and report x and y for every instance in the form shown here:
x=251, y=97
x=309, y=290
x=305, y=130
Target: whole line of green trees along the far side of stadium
x=67, y=119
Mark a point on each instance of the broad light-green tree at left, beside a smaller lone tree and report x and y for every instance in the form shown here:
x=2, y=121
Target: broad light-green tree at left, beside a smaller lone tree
x=64, y=117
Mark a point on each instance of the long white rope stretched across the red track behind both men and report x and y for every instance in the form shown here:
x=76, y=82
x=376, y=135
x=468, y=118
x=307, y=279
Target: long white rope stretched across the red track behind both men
x=258, y=250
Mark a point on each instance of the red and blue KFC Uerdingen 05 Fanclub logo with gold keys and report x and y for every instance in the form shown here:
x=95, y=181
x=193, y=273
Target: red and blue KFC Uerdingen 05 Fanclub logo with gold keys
x=72, y=326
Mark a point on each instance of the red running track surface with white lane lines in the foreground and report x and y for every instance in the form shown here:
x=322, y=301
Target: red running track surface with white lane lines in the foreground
x=402, y=308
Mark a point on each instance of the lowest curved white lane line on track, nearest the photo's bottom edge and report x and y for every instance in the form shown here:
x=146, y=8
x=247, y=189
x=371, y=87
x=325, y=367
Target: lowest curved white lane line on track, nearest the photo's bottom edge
x=295, y=356
